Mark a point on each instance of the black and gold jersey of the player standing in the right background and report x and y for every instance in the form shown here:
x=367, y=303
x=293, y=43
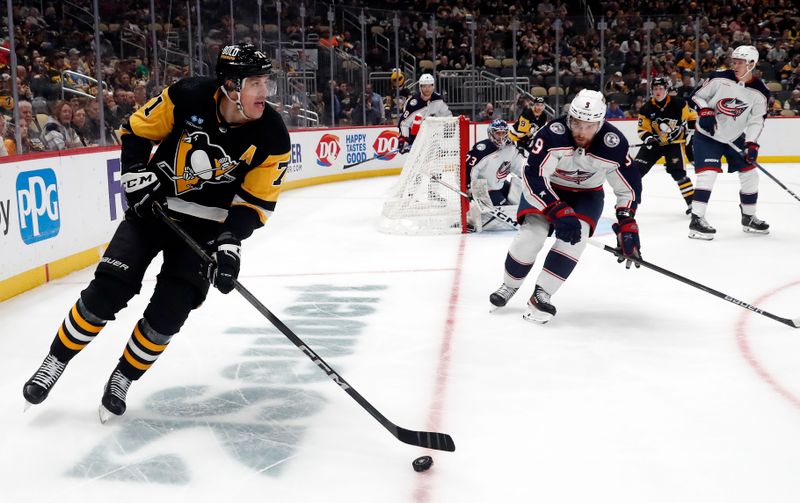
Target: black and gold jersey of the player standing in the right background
x=669, y=120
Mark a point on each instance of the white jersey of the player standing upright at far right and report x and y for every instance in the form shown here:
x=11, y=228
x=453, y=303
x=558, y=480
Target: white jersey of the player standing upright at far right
x=740, y=108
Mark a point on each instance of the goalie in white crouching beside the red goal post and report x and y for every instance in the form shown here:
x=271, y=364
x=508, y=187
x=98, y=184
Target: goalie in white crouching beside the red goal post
x=494, y=174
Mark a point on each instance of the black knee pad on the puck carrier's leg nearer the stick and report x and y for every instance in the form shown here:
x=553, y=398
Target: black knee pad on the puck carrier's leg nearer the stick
x=172, y=301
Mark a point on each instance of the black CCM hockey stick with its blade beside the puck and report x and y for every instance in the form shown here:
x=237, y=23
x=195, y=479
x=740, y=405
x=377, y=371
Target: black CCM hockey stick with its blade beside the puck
x=429, y=440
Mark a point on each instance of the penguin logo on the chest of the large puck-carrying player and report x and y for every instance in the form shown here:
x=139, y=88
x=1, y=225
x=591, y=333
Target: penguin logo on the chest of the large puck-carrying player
x=197, y=162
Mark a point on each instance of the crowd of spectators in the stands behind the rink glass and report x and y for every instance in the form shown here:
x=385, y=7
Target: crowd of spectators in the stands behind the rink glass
x=56, y=56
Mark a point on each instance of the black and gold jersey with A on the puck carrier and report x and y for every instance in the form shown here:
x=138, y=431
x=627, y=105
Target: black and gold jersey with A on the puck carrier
x=210, y=170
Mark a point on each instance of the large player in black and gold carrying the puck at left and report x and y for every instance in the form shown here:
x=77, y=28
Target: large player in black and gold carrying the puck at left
x=218, y=168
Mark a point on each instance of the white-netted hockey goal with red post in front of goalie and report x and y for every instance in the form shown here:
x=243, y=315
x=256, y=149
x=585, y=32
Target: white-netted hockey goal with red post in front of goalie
x=419, y=204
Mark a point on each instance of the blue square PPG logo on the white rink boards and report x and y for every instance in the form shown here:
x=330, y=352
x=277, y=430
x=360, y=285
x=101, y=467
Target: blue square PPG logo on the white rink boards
x=37, y=203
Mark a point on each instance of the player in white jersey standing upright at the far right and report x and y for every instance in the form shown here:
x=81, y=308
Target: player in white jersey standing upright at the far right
x=731, y=107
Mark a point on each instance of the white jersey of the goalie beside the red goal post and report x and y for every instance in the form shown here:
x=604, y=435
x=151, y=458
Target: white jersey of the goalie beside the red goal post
x=487, y=161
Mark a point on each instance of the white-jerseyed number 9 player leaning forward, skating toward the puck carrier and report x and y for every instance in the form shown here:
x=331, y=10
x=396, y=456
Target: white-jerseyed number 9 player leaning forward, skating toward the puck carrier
x=563, y=194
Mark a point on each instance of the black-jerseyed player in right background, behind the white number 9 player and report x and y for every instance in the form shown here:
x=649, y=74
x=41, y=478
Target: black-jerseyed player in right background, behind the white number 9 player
x=664, y=122
